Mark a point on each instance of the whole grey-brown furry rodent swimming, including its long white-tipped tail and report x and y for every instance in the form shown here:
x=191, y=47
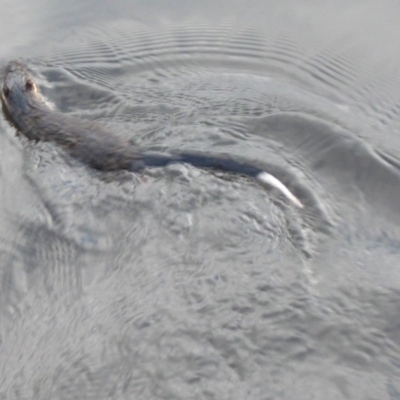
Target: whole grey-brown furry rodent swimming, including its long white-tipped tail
x=92, y=144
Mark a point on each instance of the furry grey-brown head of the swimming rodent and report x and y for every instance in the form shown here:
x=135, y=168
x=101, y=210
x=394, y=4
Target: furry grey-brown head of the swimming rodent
x=19, y=92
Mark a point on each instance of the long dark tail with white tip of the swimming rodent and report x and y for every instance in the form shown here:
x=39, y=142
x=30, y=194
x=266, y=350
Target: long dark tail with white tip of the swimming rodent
x=150, y=159
